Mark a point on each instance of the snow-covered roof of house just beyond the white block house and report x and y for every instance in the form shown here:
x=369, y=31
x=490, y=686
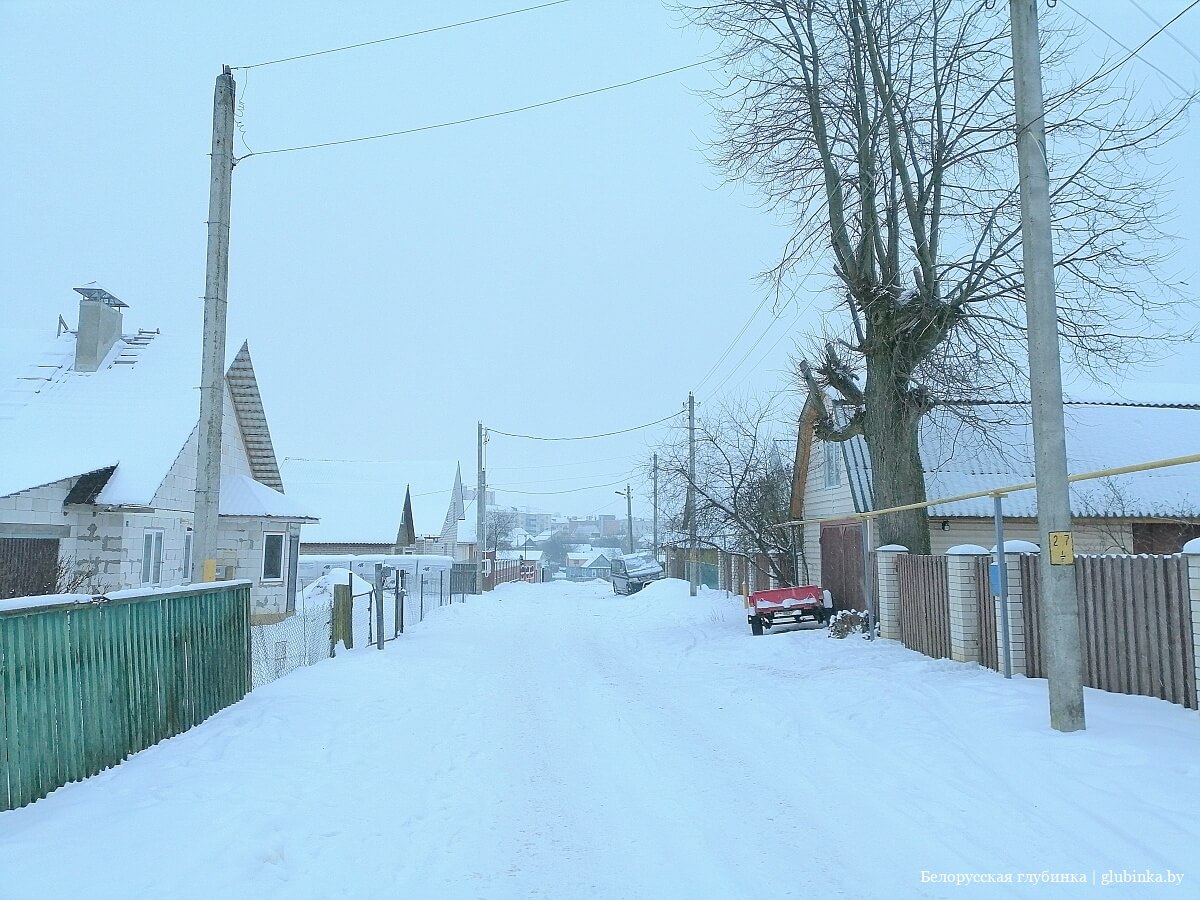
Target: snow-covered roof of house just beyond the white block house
x=364, y=502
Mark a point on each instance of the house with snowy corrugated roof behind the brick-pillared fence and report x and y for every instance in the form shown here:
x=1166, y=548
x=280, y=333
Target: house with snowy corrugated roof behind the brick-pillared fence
x=1145, y=513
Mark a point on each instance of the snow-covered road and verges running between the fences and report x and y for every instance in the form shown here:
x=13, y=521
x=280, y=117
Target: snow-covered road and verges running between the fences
x=555, y=741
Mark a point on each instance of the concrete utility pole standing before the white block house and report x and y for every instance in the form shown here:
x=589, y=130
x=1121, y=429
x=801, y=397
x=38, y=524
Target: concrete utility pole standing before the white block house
x=217, y=287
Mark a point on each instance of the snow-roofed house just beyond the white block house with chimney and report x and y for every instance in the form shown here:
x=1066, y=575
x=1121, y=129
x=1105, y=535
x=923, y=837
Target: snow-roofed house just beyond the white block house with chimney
x=394, y=507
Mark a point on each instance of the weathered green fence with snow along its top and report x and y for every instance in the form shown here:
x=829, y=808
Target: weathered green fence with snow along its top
x=86, y=686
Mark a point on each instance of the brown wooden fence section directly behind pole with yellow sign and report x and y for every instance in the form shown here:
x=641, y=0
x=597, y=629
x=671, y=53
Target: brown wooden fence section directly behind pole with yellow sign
x=1136, y=621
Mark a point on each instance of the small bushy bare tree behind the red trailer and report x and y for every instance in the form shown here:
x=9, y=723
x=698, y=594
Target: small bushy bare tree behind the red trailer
x=743, y=485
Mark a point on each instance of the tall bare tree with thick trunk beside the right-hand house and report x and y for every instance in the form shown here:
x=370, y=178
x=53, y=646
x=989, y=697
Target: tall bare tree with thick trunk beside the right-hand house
x=884, y=134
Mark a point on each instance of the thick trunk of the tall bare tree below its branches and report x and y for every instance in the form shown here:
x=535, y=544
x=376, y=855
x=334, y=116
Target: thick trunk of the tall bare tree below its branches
x=892, y=419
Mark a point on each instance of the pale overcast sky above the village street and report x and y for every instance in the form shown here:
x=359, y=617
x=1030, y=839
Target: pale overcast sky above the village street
x=567, y=271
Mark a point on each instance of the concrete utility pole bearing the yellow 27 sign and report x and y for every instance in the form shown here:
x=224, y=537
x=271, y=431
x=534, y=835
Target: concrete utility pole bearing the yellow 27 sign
x=1060, y=610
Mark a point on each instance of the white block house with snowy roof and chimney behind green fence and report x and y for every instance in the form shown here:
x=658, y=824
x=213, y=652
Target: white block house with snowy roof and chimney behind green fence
x=98, y=488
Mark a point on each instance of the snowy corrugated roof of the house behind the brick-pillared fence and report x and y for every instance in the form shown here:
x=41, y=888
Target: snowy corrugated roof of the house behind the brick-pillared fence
x=962, y=458
